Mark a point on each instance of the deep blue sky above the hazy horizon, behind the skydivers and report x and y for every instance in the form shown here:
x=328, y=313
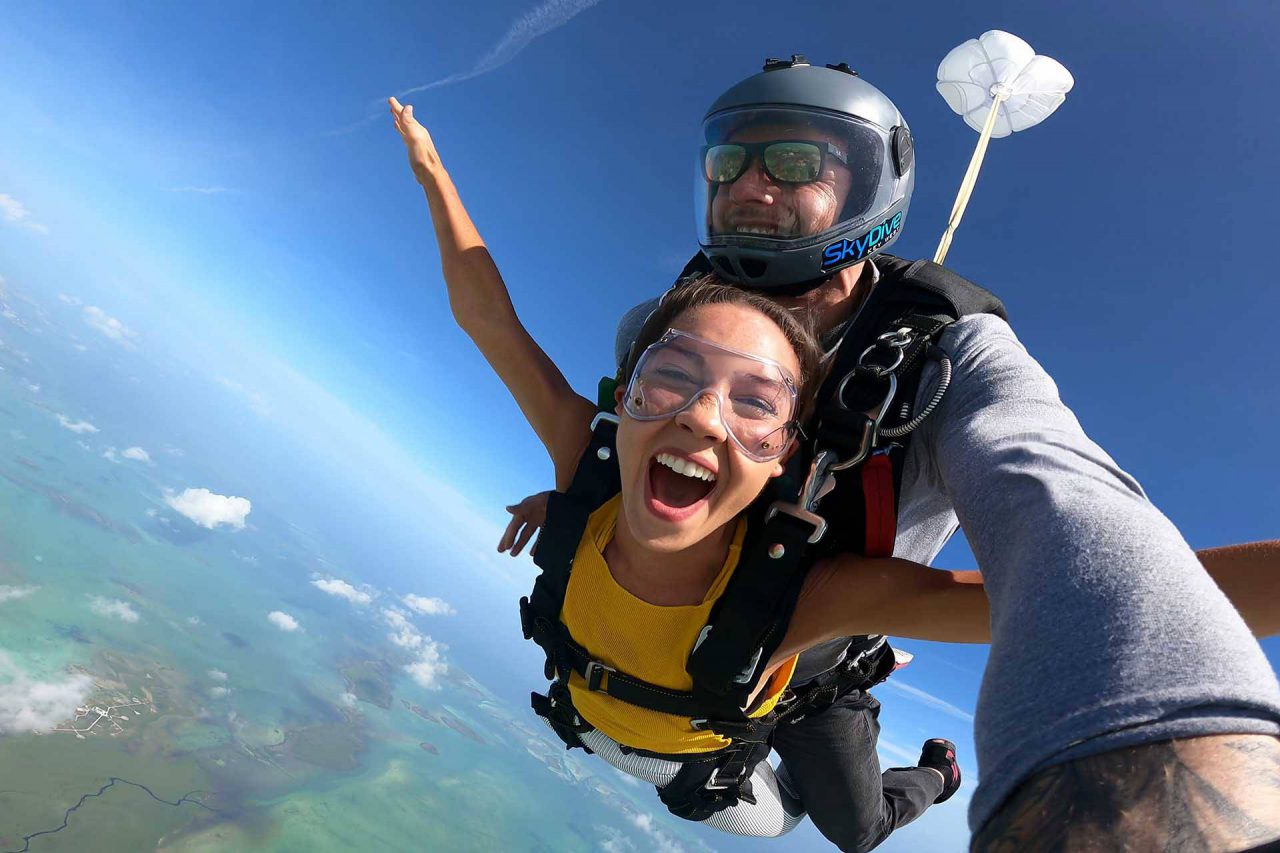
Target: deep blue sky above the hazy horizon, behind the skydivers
x=223, y=180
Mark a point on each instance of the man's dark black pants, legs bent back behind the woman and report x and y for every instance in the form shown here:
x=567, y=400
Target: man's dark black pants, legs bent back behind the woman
x=830, y=761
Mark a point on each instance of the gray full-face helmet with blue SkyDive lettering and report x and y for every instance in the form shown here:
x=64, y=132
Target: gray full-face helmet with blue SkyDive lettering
x=780, y=150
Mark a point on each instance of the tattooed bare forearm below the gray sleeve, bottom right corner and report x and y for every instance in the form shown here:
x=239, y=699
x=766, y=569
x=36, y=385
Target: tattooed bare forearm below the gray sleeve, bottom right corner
x=1203, y=795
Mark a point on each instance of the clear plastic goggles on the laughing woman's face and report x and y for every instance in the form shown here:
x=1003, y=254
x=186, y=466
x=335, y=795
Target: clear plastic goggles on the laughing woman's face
x=756, y=398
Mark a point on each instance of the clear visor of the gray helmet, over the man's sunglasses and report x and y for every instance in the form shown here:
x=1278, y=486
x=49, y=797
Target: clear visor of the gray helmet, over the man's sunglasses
x=787, y=175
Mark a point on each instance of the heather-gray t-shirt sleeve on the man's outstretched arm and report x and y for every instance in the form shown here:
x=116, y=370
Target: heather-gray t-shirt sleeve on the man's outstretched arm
x=1107, y=631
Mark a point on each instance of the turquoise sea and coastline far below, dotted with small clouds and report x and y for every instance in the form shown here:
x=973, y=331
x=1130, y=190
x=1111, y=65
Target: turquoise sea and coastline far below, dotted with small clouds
x=226, y=732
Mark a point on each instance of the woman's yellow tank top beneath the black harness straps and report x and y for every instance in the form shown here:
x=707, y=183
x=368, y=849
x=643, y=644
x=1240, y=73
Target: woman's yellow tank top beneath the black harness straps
x=650, y=642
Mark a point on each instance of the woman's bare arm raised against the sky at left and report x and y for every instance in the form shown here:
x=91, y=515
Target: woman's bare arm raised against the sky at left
x=483, y=309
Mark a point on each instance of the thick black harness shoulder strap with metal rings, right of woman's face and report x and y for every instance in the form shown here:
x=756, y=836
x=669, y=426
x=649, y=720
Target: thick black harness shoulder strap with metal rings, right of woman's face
x=756, y=609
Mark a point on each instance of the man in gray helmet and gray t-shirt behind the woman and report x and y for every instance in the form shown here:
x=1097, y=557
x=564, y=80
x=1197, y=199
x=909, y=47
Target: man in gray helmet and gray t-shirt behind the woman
x=1124, y=697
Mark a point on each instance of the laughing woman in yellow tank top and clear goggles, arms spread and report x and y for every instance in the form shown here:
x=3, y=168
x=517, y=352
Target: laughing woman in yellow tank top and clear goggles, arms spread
x=708, y=416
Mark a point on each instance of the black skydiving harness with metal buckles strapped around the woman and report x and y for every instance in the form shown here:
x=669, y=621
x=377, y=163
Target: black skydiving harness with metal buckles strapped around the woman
x=856, y=455
